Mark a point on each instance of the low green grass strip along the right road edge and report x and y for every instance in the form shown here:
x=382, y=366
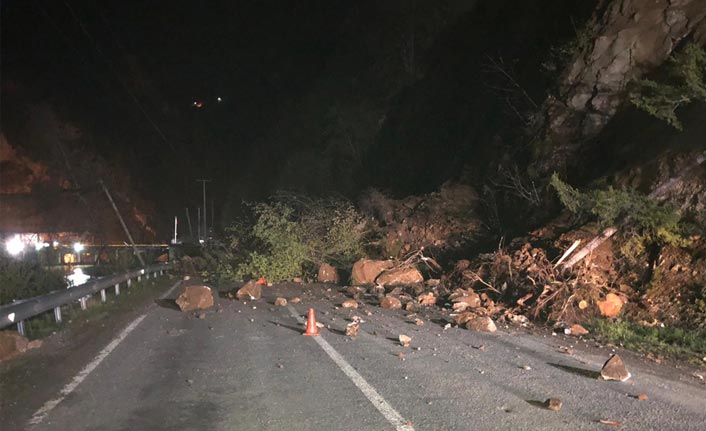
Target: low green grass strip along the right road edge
x=670, y=341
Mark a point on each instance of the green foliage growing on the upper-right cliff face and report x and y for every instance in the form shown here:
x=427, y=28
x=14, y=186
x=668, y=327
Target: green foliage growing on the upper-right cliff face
x=684, y=82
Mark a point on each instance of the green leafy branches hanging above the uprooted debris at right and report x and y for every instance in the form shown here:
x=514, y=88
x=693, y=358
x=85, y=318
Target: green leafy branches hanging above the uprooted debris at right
x=646, y=221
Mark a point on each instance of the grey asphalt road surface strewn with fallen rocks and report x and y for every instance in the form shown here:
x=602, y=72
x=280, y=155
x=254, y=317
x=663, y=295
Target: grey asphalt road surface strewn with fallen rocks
x=246, y=366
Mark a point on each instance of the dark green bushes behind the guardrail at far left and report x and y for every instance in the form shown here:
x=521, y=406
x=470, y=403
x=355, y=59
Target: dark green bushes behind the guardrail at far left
x=22, y=279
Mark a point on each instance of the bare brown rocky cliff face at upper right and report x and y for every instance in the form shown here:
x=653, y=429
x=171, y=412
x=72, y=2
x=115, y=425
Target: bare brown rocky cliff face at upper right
x=626, y=39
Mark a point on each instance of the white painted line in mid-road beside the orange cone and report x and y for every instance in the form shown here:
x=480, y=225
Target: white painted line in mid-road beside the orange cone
x=370, y=393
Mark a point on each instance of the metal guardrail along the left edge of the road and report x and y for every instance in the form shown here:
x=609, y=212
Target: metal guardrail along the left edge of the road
x=18, y=312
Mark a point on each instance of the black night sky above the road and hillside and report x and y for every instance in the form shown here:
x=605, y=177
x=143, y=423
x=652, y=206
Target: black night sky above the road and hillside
x=314, y=95
